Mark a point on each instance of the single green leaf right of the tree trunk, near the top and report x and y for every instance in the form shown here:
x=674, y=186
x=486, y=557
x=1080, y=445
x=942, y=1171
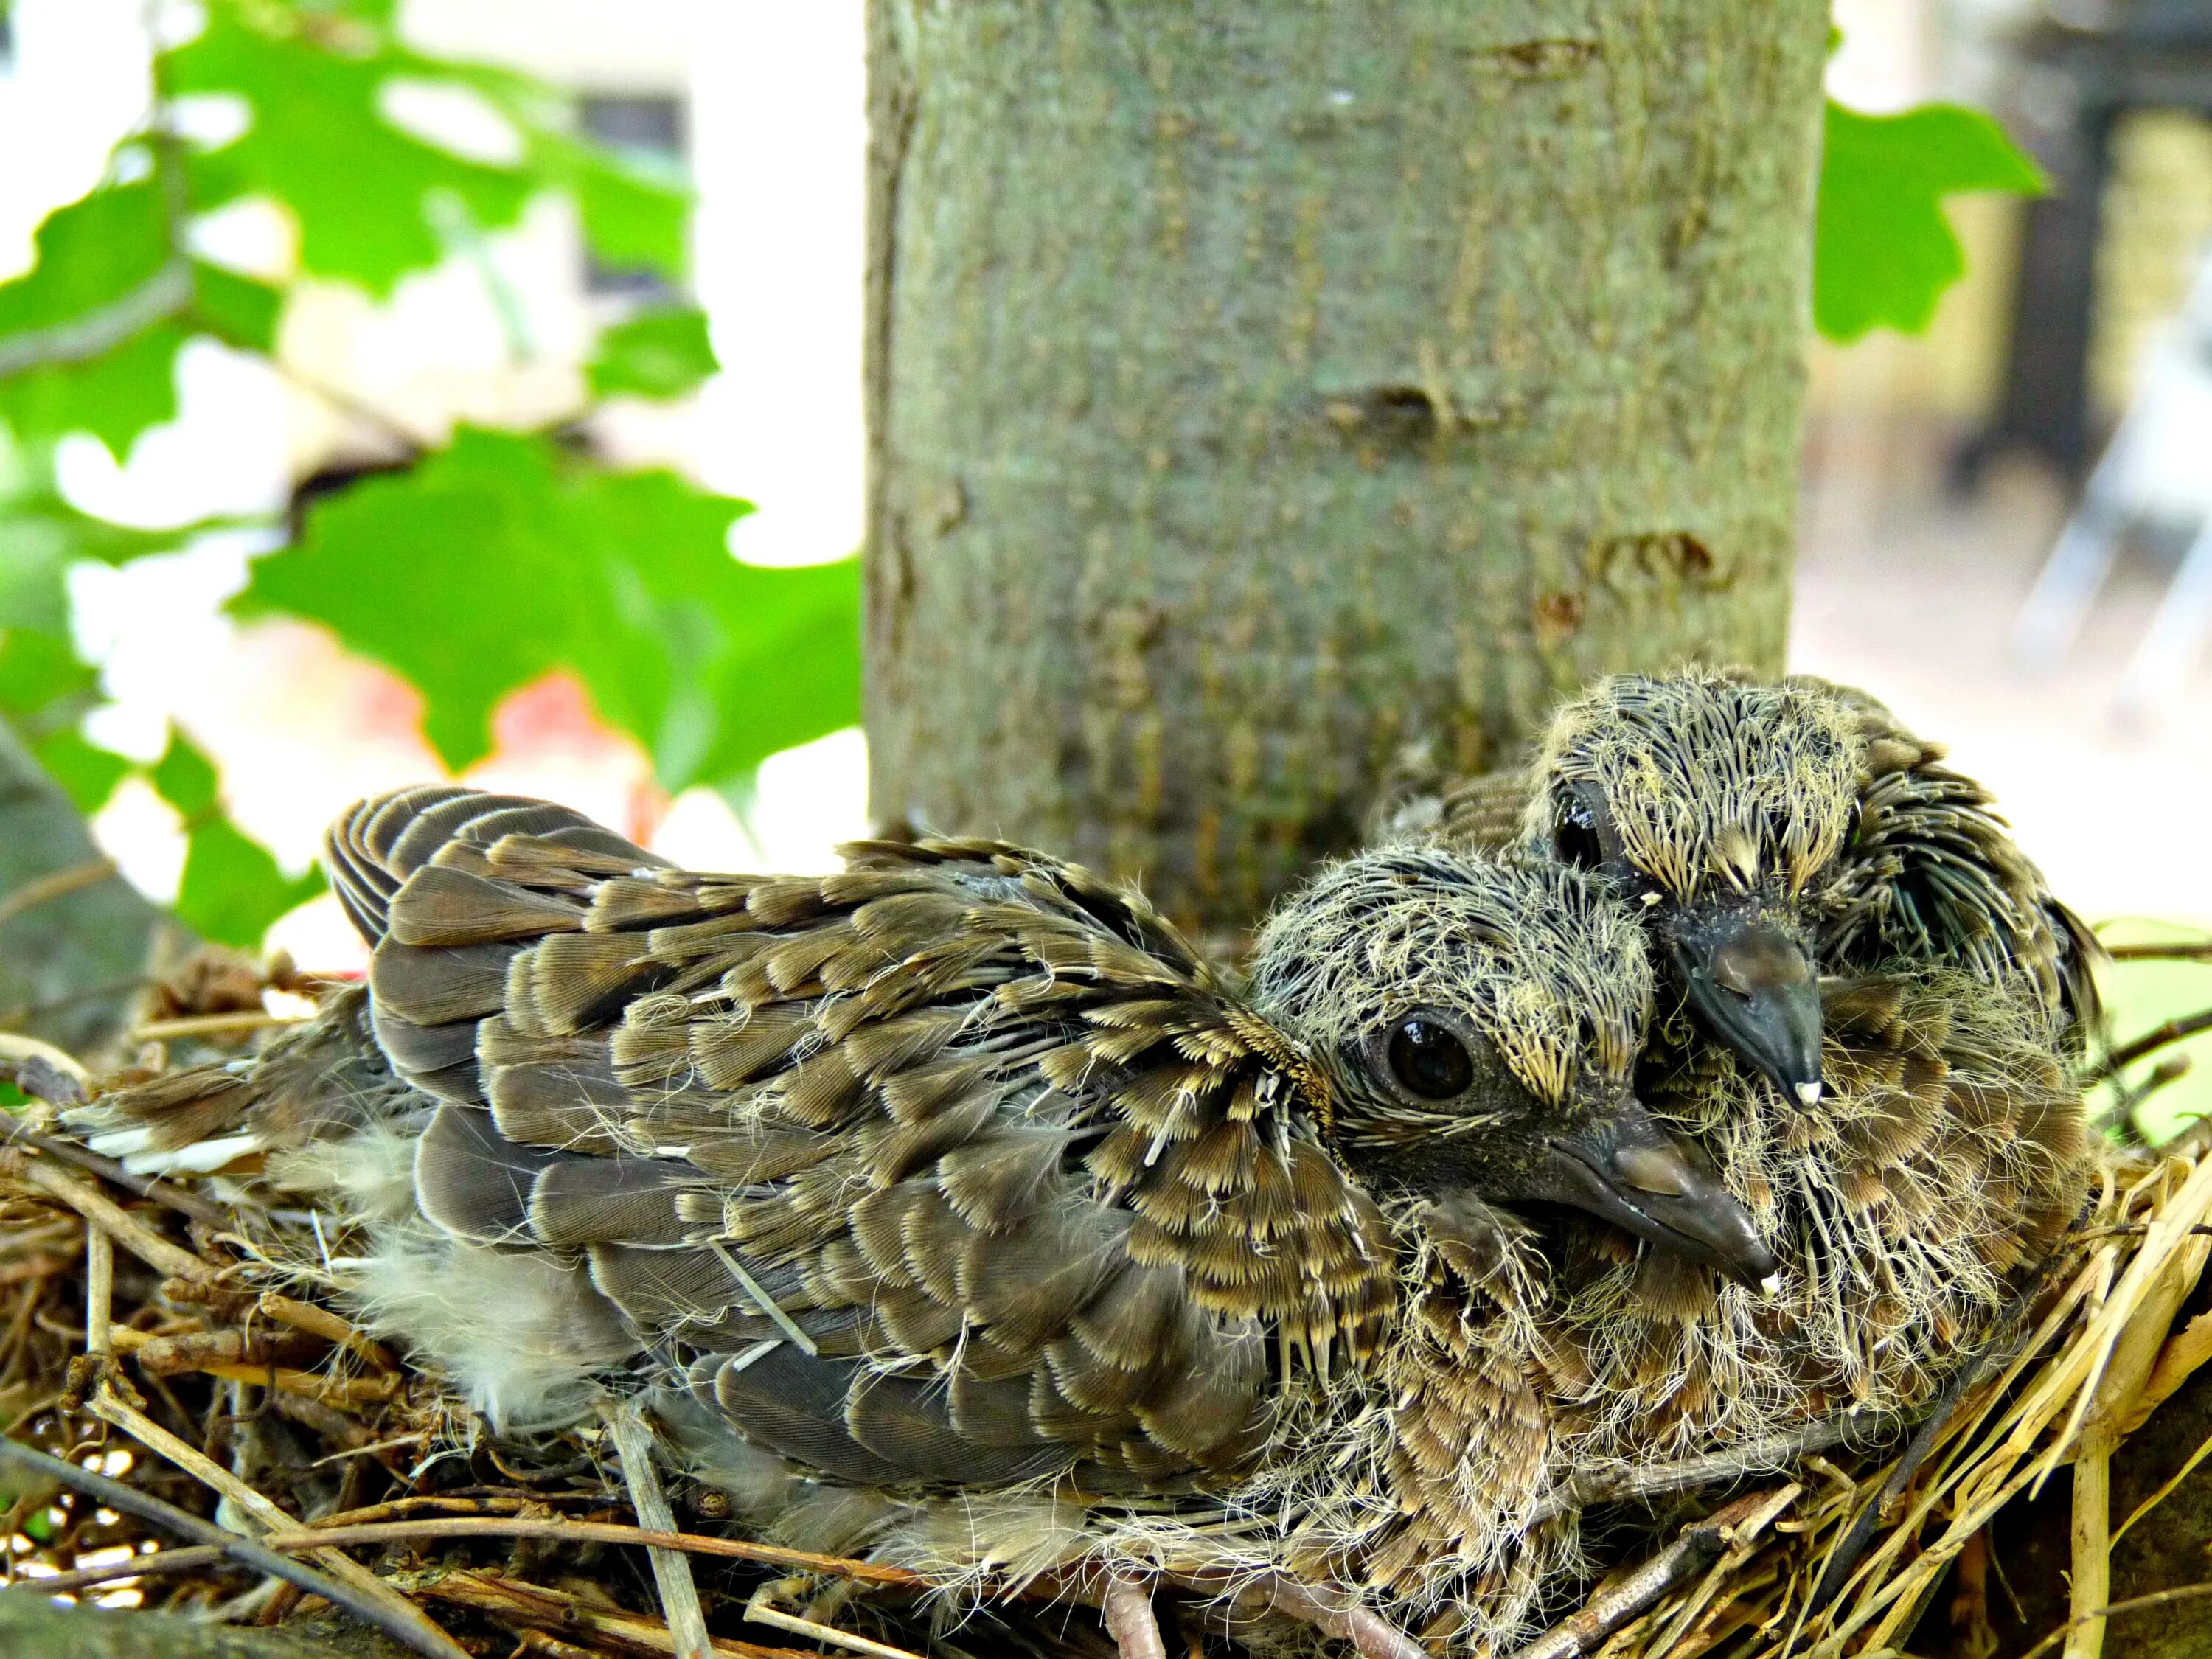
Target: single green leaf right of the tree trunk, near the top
x=1884, y=251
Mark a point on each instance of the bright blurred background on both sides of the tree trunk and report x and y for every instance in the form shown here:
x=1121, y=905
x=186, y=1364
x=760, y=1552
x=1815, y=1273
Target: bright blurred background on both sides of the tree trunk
x=1941, y=468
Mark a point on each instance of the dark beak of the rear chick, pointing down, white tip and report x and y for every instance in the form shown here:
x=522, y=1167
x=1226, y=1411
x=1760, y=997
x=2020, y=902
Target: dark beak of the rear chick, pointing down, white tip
x=1757, y=992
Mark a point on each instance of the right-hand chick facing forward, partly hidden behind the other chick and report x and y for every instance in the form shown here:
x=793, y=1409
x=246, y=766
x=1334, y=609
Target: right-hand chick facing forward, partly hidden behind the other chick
x=1884, y=1010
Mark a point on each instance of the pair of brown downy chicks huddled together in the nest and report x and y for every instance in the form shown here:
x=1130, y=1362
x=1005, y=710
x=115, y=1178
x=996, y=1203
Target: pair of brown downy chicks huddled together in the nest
x=954, y=1209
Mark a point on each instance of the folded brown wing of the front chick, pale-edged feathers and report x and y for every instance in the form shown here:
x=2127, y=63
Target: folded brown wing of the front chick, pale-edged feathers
x=952, y=1167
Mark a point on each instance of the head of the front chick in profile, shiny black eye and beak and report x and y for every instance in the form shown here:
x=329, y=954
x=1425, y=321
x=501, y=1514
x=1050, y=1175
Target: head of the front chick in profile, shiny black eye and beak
x=1481, y=1023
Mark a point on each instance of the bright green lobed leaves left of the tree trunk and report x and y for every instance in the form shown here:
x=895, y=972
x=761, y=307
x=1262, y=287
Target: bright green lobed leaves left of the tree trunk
x=490, y=559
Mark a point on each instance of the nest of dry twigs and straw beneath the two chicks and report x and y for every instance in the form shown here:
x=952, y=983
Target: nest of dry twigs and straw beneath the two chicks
x=194, y=1428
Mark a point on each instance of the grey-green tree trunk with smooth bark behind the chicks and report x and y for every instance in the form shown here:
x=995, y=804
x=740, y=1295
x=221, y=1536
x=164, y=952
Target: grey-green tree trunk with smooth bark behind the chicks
x=1258, y=388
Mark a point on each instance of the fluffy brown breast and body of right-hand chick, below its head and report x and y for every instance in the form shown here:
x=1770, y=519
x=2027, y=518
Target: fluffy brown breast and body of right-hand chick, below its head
x=1948, y=1158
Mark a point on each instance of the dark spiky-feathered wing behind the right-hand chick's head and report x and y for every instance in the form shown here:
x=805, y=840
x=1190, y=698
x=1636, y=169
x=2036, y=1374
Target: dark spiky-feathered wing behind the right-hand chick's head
x=1934, y=875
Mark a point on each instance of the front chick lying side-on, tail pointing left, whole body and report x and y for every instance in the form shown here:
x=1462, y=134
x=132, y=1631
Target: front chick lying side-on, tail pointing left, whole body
x=961, y=1191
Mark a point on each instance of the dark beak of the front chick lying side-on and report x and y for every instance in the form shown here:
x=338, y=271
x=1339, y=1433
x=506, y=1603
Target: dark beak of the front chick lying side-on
x=1634, y=1173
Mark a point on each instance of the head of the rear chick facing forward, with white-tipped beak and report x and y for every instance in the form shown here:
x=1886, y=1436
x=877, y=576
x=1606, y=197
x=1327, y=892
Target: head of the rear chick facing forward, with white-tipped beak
x=1715, y=806
